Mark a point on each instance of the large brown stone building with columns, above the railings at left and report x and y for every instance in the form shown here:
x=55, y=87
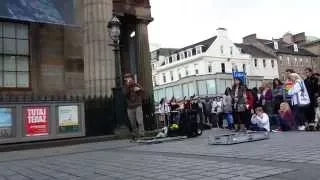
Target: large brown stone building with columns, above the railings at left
x=72, y=56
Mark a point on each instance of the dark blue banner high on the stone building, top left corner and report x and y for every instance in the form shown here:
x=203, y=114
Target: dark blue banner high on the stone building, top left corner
x=43, y=11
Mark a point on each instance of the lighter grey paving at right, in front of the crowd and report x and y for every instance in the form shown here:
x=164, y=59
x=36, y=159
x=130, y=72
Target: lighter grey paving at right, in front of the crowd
x=297, y=147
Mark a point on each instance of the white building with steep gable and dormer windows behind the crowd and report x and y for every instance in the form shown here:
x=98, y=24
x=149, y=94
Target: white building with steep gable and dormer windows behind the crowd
x=205, y=68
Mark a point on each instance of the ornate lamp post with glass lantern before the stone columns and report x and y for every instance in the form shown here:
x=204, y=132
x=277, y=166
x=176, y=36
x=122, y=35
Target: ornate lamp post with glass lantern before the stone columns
x=114, y=33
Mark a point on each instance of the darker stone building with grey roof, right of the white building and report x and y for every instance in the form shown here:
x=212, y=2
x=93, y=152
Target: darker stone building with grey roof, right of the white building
x=290, y=55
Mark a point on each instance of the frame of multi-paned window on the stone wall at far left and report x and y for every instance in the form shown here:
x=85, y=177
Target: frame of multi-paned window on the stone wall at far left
x=16, y=54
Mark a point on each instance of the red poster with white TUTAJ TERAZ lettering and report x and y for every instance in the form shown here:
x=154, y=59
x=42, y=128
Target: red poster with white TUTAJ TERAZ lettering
x=36, y=121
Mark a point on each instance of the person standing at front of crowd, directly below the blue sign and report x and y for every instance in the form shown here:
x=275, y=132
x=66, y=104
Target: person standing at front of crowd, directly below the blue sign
x=238, y=95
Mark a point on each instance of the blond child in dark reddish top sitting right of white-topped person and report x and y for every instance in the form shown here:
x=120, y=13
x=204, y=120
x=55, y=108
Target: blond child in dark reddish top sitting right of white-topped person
x=286, y=117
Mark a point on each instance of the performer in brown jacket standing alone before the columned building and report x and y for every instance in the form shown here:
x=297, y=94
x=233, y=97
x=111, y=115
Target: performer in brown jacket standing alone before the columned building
x=133, y=92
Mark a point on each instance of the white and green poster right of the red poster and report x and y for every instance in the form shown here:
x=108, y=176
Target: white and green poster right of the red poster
x=68, y=119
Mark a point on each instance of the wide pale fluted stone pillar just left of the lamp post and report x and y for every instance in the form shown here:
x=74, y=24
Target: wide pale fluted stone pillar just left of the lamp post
x=99, y=64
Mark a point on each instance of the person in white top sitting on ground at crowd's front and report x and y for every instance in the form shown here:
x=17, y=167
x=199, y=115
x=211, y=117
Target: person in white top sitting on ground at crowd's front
x=260, y=120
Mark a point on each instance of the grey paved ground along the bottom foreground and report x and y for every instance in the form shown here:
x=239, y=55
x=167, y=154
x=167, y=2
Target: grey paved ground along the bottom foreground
x=118, y=165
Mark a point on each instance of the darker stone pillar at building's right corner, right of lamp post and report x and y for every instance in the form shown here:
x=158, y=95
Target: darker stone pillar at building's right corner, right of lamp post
x=143, y=58
